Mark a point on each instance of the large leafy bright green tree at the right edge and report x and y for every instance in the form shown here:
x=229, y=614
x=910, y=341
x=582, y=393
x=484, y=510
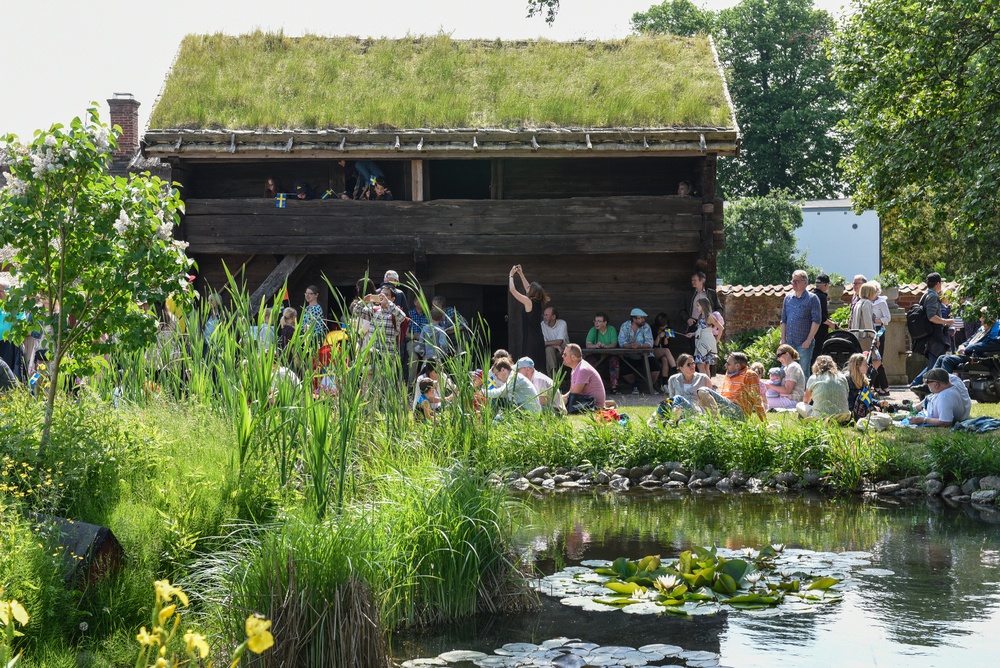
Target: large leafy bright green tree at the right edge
x=924, y=81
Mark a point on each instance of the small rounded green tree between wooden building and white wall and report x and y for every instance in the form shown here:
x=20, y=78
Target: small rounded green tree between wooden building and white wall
x=760, y=240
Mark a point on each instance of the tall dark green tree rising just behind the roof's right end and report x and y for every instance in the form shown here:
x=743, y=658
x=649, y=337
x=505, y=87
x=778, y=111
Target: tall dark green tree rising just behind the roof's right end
x=787, y=104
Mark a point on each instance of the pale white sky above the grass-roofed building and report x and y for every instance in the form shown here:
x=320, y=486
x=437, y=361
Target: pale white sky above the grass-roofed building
x=64, y=54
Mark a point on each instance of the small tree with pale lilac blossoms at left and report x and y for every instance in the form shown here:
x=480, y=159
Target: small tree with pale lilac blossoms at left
x=89, y=247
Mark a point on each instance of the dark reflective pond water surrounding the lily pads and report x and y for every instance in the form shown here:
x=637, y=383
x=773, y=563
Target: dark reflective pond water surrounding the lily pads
x=928, y=594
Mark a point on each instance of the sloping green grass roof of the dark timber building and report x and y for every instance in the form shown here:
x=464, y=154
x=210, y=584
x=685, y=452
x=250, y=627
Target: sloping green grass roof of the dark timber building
x=268, y=81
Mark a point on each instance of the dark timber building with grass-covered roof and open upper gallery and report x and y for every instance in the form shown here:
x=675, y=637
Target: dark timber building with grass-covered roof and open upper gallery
x=563, y=157
